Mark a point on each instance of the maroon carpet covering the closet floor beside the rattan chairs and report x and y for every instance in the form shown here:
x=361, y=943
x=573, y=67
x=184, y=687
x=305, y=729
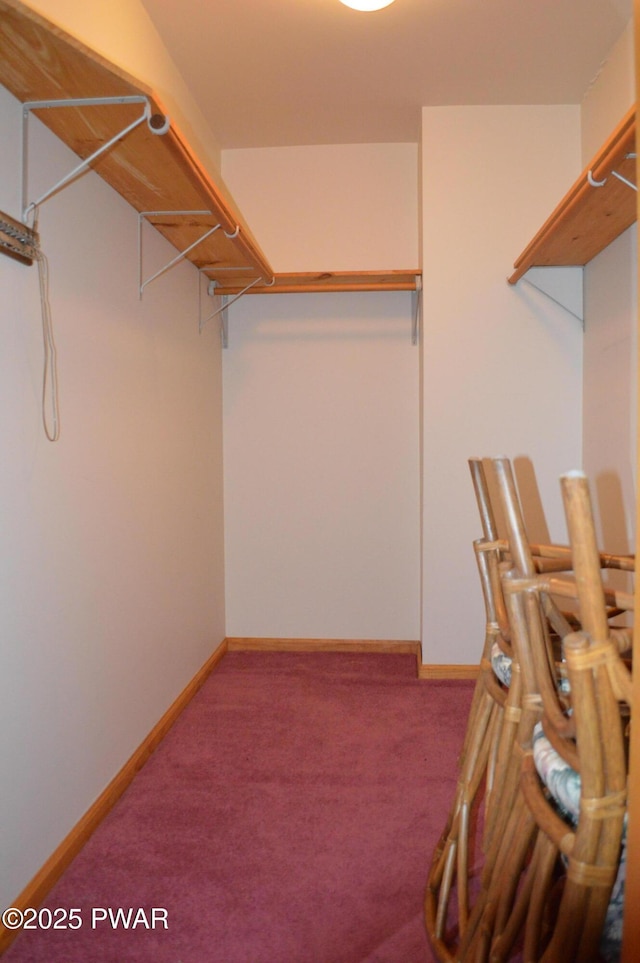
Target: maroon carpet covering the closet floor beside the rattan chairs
x=288, y=817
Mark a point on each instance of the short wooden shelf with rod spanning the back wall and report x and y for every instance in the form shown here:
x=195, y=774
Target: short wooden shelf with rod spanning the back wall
x=329, y=281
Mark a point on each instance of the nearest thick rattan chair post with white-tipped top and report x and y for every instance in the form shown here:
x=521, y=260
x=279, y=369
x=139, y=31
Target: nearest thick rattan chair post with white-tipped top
x=599, y=682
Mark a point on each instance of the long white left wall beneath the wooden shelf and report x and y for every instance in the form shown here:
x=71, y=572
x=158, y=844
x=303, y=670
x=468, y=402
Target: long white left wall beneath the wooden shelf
x=112, y=594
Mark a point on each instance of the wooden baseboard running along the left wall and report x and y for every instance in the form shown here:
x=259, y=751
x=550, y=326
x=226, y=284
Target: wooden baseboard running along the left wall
x=35, y=891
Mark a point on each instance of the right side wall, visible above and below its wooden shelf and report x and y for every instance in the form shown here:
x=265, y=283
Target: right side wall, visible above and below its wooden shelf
x=610, y=367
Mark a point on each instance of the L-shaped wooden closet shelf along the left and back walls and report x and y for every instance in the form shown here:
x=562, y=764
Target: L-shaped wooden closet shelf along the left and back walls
x=152, y=172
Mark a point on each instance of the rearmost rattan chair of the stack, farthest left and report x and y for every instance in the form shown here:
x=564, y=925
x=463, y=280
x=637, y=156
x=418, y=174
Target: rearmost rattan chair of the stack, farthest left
x=486, y=780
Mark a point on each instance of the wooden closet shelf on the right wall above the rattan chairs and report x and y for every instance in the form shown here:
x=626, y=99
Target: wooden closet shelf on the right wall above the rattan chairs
x=588, y=218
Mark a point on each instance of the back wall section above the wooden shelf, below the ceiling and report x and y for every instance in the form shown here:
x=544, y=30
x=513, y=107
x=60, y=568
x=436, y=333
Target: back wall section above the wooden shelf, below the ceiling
x=342, y=207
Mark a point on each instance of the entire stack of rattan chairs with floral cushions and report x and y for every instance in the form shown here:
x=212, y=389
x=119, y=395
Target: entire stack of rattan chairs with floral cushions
x=541, y=864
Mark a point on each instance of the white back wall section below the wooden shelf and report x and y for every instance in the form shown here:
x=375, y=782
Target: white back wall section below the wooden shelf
x=321, y=468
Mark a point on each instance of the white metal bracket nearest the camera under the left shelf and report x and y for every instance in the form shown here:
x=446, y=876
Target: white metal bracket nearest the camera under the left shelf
x=157, y=124
